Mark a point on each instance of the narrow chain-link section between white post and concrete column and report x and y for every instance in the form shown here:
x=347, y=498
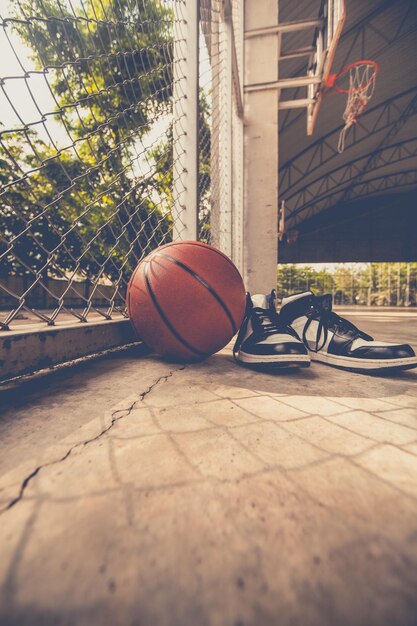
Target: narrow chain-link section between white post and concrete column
x=221, y=126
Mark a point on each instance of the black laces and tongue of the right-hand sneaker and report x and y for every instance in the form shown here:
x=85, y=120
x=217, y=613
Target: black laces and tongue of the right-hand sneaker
x=322, y=307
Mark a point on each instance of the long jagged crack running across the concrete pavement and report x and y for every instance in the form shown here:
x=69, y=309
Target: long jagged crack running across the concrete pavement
x=115, y=418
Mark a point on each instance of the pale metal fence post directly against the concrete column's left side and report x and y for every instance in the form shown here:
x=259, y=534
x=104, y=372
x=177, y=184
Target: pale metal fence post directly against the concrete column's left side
x=226, y=53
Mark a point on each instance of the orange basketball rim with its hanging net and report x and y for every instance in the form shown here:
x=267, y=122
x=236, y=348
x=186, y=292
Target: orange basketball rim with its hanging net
x=357, y=80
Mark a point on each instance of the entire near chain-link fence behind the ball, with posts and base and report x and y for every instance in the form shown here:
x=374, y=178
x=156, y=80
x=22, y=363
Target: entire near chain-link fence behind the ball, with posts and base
x=112, y=142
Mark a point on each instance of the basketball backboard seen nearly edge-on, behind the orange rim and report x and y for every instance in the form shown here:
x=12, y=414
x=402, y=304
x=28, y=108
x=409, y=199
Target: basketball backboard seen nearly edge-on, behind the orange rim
x=326, y=39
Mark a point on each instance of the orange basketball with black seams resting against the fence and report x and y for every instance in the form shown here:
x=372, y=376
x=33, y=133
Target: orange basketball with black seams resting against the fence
x=186, y=300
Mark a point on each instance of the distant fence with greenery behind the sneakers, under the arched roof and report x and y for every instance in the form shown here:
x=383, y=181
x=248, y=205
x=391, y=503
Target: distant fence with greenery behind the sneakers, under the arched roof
x=366, y=284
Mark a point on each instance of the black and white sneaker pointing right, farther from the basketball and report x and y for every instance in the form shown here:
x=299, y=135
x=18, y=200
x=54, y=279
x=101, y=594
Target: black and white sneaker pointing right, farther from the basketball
x=334, y=340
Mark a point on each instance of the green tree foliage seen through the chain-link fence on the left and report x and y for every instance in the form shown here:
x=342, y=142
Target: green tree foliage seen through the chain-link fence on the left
x=85, y=208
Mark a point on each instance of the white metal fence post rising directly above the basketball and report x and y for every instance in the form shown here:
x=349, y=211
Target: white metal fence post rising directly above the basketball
x=185, y=120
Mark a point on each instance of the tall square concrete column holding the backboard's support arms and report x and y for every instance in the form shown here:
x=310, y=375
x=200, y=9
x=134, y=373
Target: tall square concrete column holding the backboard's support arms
x=261, y=150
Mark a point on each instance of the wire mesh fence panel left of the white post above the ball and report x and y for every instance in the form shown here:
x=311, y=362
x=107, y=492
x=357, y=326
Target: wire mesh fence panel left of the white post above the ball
x=86, y=163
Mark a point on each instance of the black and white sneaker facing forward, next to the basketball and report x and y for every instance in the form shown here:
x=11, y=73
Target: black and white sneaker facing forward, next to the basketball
x=264, y=342
